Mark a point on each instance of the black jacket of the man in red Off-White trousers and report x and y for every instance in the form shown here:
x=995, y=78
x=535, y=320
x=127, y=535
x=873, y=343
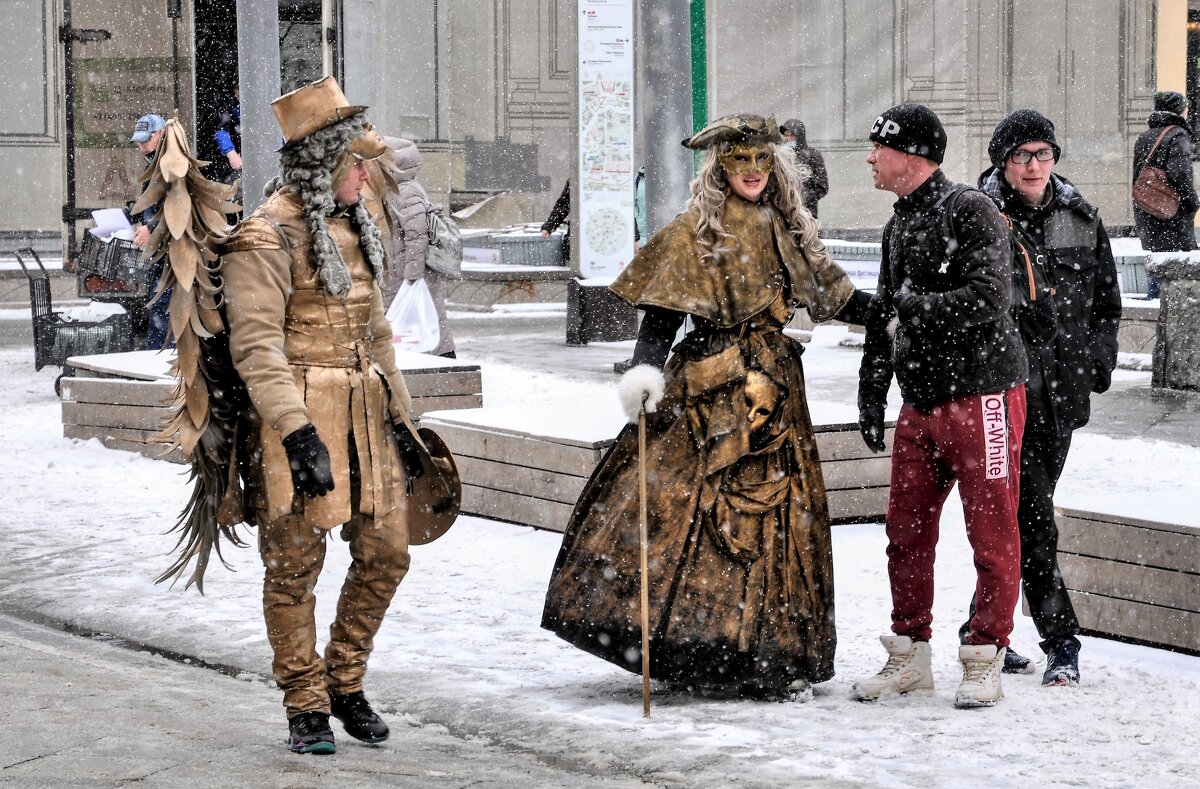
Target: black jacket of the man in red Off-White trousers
x=951, y=296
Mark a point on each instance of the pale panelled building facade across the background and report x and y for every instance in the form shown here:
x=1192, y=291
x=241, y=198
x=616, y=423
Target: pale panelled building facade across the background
x=487, y=87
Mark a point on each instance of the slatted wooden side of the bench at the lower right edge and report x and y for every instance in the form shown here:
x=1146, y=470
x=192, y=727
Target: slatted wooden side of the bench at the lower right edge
x=1132, y=580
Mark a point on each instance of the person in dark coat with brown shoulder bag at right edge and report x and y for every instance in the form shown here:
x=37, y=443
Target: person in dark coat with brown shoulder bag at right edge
x=1174, y=155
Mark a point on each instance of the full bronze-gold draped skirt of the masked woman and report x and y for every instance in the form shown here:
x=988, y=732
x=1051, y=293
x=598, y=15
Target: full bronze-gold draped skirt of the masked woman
x=741, y=564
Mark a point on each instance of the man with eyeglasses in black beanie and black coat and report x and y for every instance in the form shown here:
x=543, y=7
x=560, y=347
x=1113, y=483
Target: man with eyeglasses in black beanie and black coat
x=1069, y=250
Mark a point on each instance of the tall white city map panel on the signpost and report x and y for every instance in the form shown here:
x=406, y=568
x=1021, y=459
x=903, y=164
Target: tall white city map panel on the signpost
x=607, y=137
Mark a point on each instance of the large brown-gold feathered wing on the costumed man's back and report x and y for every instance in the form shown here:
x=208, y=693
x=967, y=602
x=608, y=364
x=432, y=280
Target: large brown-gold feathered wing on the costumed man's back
x=209, y=396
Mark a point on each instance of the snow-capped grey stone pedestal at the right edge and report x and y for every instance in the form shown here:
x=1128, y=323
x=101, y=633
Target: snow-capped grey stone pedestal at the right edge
x=1177, y=364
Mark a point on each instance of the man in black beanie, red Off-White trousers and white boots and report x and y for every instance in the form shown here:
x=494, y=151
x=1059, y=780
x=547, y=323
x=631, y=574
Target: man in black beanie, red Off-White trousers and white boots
x=940, y=321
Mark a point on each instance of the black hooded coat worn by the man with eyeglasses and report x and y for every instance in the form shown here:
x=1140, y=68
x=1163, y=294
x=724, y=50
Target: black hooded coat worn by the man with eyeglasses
x=1070, y=234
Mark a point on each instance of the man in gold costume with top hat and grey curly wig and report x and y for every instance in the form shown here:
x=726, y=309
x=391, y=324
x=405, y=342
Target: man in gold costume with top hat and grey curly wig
x=309, y=338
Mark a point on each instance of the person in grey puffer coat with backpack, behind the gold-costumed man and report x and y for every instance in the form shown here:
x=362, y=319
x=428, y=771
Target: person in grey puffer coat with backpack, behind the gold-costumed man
x=407, y=207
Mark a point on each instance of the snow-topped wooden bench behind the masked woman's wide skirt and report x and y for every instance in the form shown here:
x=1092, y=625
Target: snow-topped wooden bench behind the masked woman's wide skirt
x=530, y=466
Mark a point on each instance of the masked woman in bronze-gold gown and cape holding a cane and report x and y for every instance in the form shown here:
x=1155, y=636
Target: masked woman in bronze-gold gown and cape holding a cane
x=741, y=567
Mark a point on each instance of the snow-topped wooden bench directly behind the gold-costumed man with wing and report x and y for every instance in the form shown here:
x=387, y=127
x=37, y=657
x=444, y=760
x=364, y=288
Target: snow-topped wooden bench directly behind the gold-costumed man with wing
x=123, y=400
